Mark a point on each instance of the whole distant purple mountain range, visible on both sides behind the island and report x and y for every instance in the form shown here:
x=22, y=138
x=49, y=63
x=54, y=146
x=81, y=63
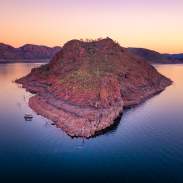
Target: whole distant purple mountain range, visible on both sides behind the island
x=32, y=53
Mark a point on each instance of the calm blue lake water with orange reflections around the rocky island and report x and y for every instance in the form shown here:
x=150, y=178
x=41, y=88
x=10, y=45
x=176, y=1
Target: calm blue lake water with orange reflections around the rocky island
x=146, y=145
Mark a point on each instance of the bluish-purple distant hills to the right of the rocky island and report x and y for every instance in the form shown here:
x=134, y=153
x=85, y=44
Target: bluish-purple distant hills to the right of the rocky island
x=156, y=57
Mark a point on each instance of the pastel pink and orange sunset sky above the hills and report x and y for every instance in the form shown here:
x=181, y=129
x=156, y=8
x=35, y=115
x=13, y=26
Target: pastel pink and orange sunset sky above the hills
x=153, y=24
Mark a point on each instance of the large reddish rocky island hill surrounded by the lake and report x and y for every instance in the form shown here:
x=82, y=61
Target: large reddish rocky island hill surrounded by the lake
x=86, y=85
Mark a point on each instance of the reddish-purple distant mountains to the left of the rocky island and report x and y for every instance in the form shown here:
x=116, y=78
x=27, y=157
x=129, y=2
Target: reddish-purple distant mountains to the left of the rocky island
x=26, y=52
